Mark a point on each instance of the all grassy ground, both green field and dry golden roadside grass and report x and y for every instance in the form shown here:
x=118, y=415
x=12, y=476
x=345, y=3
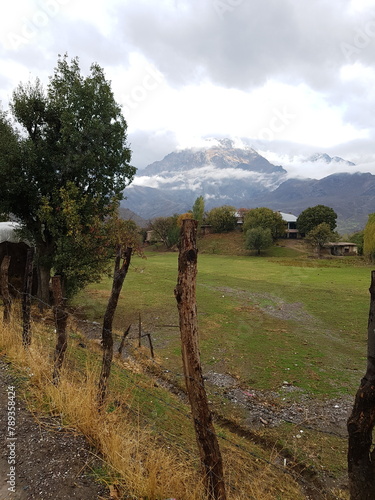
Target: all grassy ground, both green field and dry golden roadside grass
x=263, y=320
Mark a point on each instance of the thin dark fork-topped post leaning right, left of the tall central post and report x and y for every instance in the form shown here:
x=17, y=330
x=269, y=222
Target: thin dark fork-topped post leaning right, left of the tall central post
x=107, y=336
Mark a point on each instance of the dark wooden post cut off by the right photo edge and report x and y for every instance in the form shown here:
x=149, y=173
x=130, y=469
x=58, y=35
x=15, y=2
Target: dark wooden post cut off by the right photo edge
x=361, y=457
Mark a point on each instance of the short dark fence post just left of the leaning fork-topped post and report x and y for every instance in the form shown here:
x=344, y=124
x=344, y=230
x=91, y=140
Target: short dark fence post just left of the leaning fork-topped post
x=61, y=319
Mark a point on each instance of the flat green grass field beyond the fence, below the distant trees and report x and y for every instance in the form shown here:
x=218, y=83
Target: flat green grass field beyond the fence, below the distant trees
x=281, y=316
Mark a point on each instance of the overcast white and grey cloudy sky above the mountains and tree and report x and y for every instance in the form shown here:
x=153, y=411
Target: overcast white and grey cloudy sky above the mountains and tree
x=287, y=77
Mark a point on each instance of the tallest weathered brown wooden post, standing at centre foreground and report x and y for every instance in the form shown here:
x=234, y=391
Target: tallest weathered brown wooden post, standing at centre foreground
x=185, y=292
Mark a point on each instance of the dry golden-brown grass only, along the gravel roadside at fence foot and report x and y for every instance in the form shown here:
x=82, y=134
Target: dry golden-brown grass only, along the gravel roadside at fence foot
x=137, y=460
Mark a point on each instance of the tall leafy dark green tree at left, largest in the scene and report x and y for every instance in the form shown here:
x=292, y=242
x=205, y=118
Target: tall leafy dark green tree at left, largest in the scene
x=72, y=143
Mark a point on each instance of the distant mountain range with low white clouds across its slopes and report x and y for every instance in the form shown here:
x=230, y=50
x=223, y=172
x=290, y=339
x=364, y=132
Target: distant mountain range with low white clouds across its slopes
x=229, y=175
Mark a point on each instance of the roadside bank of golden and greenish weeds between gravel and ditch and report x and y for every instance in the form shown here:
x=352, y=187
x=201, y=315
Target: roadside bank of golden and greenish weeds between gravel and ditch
x=148, y=451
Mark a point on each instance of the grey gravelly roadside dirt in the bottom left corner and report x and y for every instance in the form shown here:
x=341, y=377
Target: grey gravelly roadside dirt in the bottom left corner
x=45, y=460
